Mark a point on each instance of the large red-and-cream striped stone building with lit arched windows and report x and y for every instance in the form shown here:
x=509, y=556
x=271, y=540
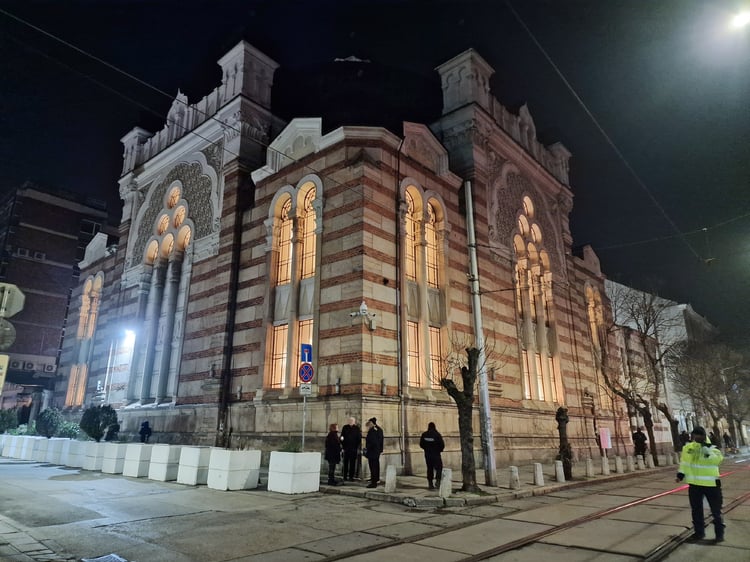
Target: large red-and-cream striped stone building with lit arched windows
x=257, y=251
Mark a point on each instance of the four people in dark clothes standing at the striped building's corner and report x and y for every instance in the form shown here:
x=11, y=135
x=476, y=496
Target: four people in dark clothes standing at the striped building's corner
x=346, y=447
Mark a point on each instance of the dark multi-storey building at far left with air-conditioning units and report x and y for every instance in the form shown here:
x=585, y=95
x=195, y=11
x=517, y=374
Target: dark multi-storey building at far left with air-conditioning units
x=44, y=233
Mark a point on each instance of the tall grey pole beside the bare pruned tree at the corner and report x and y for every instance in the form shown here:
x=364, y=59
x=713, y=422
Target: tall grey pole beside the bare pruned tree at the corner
x=485, y=414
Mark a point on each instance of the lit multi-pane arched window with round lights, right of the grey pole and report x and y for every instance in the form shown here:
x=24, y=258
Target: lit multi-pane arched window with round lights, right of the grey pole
x=534, y=306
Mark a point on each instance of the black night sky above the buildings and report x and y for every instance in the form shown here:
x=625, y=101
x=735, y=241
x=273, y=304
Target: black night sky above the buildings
x=660, y=174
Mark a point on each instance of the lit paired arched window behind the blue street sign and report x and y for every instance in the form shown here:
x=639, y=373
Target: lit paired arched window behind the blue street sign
x=294, y=225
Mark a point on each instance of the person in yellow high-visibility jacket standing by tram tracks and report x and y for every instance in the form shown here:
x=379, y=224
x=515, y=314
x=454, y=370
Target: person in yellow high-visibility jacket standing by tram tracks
x=699, y=467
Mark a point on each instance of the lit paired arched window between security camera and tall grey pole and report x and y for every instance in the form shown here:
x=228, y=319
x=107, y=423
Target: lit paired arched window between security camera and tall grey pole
x=422, y=250
